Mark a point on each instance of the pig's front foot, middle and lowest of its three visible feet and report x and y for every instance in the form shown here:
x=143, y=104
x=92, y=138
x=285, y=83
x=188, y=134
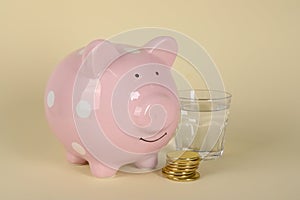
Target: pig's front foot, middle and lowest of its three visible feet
x=101, y=171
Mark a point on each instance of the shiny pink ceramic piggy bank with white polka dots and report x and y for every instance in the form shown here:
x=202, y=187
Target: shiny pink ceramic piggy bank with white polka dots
x=114, y=104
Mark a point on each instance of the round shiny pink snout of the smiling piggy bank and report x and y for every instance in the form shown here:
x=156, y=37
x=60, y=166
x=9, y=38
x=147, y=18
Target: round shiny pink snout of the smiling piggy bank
x=153, y=109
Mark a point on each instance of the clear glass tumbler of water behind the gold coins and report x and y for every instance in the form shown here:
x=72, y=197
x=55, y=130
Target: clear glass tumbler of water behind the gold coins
x=204, y=116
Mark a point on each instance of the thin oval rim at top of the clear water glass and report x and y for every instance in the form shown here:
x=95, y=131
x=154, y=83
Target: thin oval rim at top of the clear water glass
x=226, y=94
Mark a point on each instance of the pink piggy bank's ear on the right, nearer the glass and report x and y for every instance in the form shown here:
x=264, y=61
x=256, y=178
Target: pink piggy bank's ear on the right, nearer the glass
x=163, y=47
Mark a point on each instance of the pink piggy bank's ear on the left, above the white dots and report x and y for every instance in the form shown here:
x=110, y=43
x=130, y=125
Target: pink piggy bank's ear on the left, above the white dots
x=97, y=56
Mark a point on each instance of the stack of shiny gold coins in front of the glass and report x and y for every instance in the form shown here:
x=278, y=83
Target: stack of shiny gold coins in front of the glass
x=182, y=166
